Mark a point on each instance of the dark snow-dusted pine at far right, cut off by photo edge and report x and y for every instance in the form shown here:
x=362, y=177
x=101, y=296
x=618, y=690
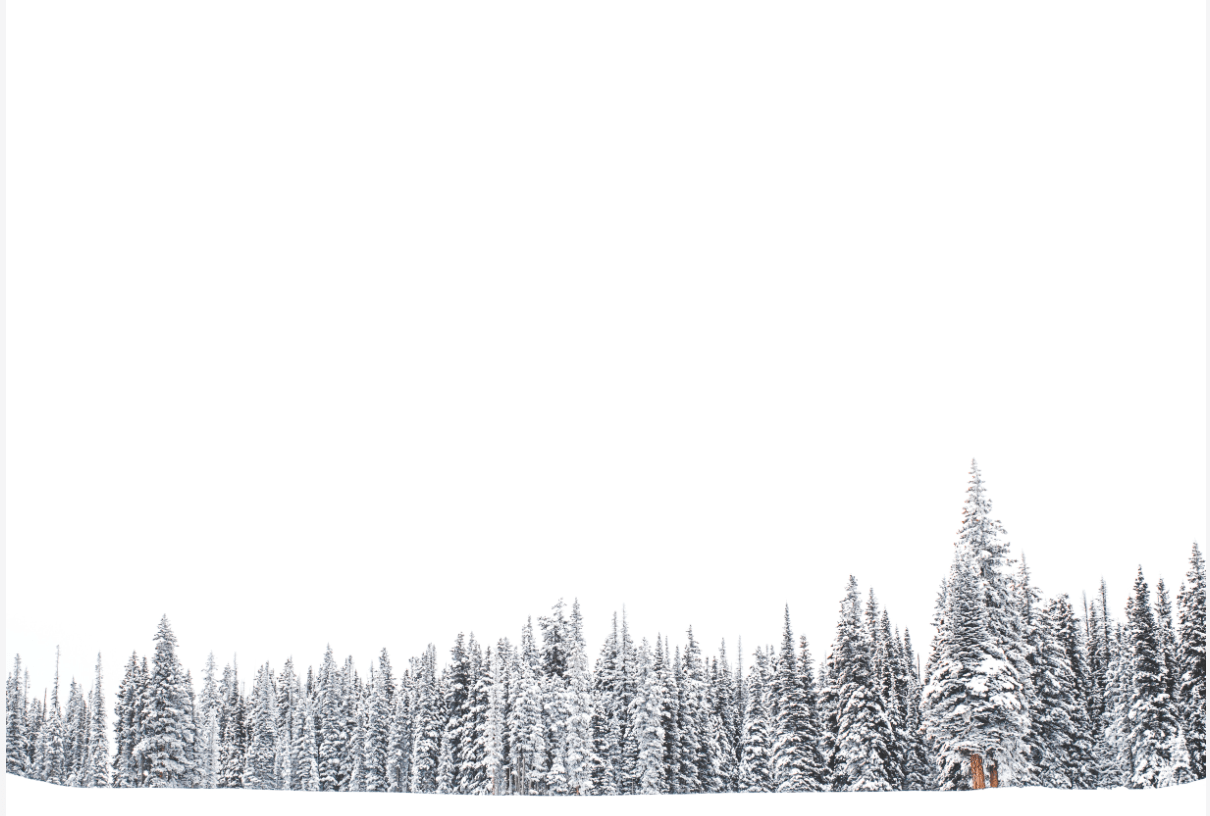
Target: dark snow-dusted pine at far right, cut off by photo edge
x=1191, y=663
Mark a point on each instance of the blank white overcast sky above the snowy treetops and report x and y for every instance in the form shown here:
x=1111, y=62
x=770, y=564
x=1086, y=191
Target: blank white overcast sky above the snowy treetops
x=370, y=325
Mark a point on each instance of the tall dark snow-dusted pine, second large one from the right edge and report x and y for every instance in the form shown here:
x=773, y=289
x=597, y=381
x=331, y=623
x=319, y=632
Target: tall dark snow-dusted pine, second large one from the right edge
x=1157, y=750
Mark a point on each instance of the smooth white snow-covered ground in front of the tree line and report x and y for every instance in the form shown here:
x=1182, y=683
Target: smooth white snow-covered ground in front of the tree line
x=25, y=797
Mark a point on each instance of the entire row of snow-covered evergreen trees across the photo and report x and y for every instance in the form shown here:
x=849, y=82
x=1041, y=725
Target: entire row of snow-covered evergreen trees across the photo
x=1015, y=691
